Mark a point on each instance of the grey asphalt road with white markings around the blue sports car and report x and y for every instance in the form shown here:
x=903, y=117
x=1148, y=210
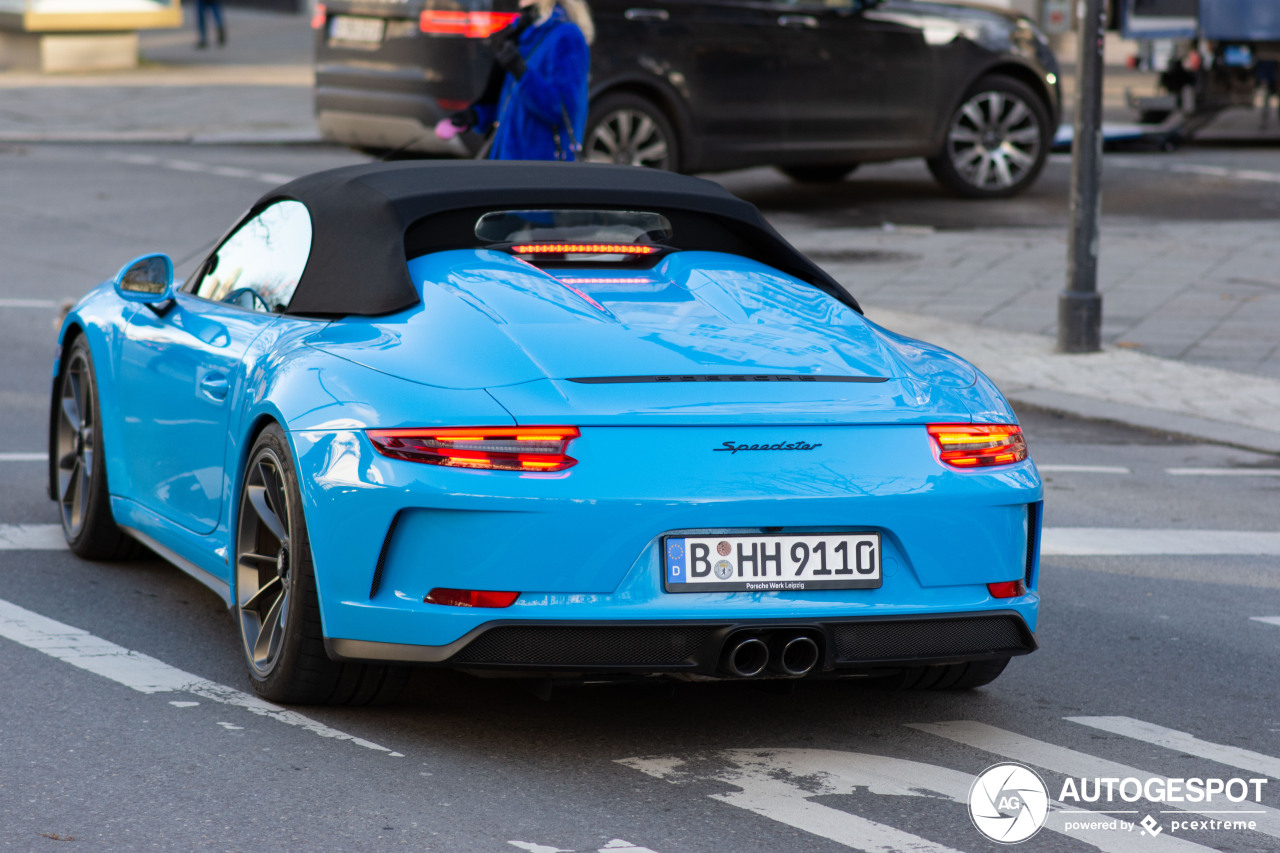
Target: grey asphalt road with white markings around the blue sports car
x=1136, y=649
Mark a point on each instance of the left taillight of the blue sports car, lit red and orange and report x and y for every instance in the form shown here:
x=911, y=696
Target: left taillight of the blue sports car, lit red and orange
x=496, y=449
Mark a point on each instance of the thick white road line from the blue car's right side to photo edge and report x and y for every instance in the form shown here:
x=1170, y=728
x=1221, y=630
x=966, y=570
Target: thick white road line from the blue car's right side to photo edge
x=1075, y=542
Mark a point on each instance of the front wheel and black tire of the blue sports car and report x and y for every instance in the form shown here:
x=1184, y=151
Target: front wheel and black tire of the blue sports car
x=79, y=464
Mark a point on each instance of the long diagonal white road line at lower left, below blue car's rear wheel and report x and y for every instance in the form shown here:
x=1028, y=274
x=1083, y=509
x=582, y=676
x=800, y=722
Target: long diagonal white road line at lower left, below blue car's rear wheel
x=143, y=673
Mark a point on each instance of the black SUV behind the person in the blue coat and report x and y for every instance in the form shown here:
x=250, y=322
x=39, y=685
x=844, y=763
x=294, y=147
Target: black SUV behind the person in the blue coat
x=811, y=86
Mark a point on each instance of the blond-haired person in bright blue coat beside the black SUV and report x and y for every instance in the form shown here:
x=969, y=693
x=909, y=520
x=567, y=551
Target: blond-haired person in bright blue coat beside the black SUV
x=541, y=111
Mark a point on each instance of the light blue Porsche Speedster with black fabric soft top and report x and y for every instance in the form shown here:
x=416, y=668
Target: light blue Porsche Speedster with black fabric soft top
x=579, y=421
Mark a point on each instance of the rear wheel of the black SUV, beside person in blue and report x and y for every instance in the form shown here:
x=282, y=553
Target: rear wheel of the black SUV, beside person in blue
x=630, y=130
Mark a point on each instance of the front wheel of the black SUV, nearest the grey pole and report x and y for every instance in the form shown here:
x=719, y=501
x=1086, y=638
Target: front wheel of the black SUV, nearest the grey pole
x=998, y=140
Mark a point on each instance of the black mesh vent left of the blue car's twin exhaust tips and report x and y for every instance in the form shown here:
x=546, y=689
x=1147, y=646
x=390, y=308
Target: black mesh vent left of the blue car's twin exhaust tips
x=587, y=646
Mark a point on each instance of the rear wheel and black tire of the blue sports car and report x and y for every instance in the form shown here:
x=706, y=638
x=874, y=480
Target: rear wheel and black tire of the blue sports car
x=277, y=608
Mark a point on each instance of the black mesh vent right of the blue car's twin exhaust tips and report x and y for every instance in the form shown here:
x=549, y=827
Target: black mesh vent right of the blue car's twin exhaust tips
x=907, y=640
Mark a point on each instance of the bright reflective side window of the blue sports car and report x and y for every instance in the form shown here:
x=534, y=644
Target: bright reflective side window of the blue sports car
x=259, y=267
